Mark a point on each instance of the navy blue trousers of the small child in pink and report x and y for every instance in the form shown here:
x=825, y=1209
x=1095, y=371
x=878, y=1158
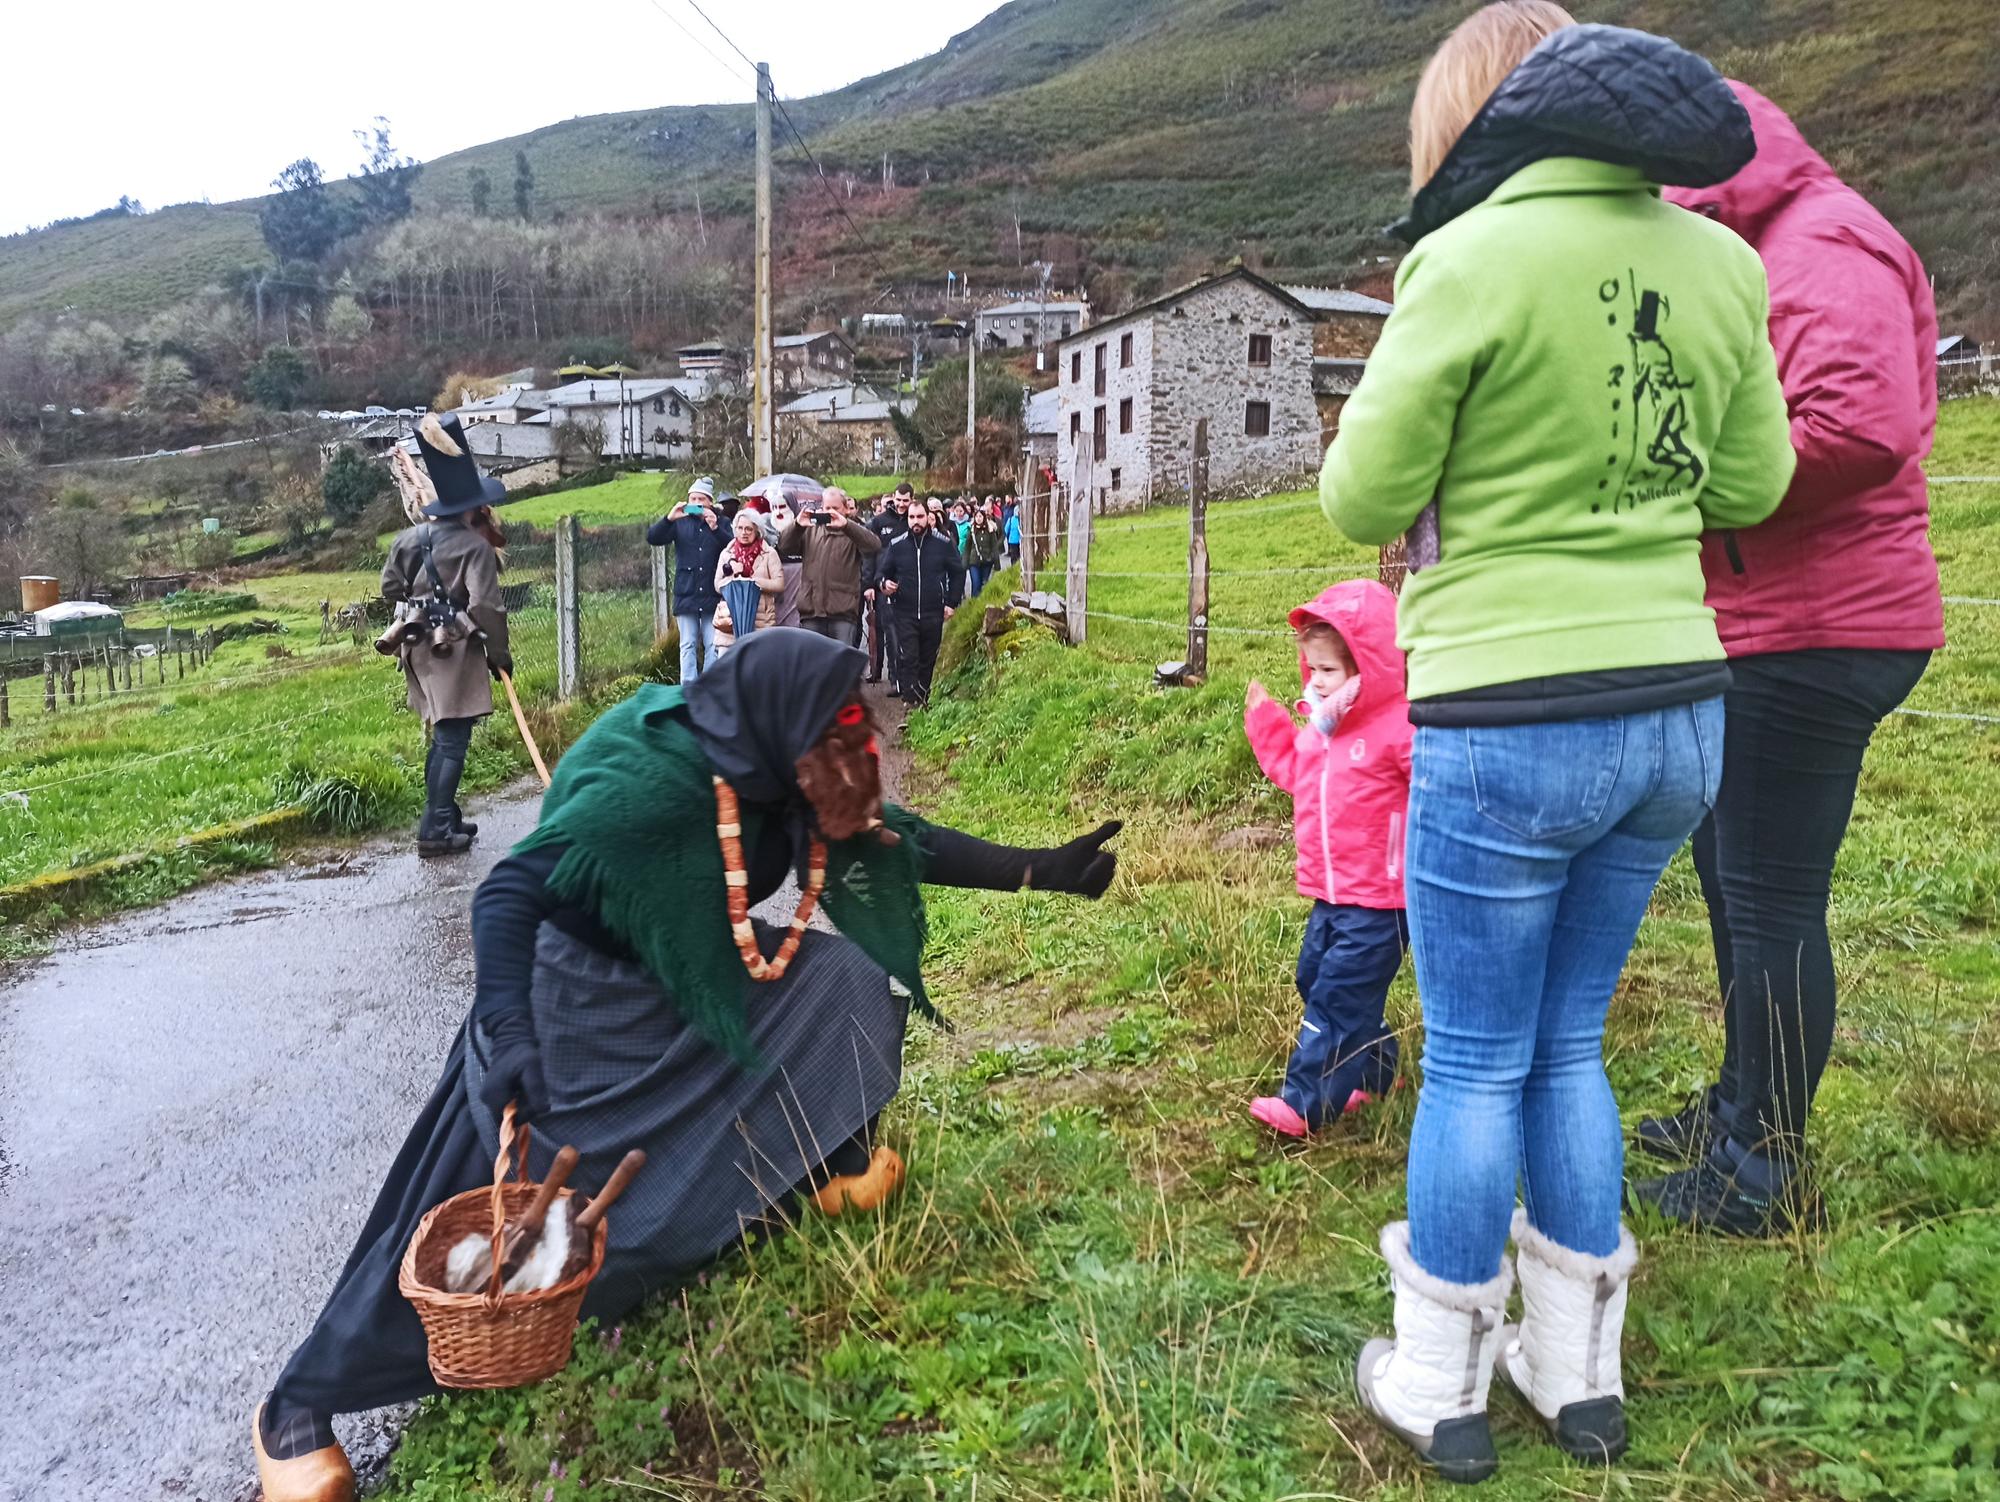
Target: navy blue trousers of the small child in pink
x=1345, y=967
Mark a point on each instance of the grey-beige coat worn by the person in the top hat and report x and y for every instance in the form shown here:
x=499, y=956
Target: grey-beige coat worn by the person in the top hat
x=453, y=687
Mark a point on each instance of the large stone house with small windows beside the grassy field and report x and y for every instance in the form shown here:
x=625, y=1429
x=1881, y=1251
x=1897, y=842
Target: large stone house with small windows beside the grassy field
x=1233, y=349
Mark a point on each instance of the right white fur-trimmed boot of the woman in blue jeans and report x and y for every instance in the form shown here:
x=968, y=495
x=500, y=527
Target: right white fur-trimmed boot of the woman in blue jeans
x=1563, y=1357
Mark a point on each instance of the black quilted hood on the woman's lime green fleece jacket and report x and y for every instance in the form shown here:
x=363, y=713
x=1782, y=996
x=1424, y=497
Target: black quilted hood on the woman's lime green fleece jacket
x=1605, y=93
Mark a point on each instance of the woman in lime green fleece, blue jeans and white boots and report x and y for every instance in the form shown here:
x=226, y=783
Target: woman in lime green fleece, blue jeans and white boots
x=1575, y=385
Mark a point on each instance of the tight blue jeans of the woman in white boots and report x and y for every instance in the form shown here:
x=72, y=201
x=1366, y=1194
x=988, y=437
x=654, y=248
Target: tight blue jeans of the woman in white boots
x=1531, y=859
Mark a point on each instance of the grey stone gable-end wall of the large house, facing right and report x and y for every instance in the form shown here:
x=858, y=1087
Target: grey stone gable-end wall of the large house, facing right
x=1203, y=371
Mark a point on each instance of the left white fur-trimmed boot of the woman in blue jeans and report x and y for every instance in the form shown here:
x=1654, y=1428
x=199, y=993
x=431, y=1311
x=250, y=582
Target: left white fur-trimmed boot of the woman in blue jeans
x=1429, y=1387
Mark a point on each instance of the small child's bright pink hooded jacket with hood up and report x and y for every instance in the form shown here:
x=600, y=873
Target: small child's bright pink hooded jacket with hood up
x=1351, y=789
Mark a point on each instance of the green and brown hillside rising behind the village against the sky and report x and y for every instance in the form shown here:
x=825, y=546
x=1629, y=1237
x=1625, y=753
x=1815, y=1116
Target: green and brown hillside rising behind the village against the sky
x=1157, y=139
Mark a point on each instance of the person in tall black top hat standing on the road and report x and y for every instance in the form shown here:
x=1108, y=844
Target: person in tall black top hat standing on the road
x=449, y=567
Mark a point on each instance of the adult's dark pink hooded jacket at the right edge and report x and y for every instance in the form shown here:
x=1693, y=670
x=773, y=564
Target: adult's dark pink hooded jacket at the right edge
x=1845, y=561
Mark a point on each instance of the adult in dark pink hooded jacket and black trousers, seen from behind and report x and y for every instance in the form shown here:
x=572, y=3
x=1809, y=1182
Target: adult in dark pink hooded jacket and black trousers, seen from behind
x=1829, y=613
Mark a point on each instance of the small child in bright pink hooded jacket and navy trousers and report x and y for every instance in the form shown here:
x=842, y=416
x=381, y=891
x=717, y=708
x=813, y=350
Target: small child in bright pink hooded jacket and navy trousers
x=1349, y=775
